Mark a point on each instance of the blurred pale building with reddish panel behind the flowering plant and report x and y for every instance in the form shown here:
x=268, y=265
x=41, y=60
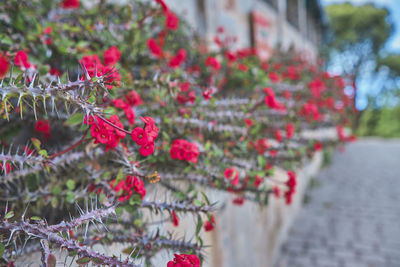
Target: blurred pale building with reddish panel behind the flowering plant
x=264, y=24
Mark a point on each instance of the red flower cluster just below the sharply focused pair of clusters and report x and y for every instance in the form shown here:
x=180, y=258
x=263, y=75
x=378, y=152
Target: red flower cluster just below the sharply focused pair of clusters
x=127, y=187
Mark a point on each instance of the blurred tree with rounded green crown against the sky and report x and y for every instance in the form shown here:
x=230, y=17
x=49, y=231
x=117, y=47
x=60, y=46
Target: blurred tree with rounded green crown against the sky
x=356, y=42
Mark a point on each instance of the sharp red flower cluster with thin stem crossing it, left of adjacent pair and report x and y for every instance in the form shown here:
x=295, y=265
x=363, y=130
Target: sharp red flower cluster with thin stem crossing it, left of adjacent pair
x=105, y=133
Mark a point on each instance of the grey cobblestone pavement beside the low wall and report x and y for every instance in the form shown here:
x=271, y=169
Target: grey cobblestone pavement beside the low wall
x=352, y=218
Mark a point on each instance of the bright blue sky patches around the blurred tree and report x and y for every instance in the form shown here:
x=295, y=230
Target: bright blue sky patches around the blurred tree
x=392, y=45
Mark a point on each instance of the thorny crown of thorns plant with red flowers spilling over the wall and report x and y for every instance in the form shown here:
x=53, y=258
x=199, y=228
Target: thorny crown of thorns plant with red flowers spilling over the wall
x=117, y=122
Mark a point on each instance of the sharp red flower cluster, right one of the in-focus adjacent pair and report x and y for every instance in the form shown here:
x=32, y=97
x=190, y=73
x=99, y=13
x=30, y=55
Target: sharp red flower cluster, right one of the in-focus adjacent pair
x=144, y=137
